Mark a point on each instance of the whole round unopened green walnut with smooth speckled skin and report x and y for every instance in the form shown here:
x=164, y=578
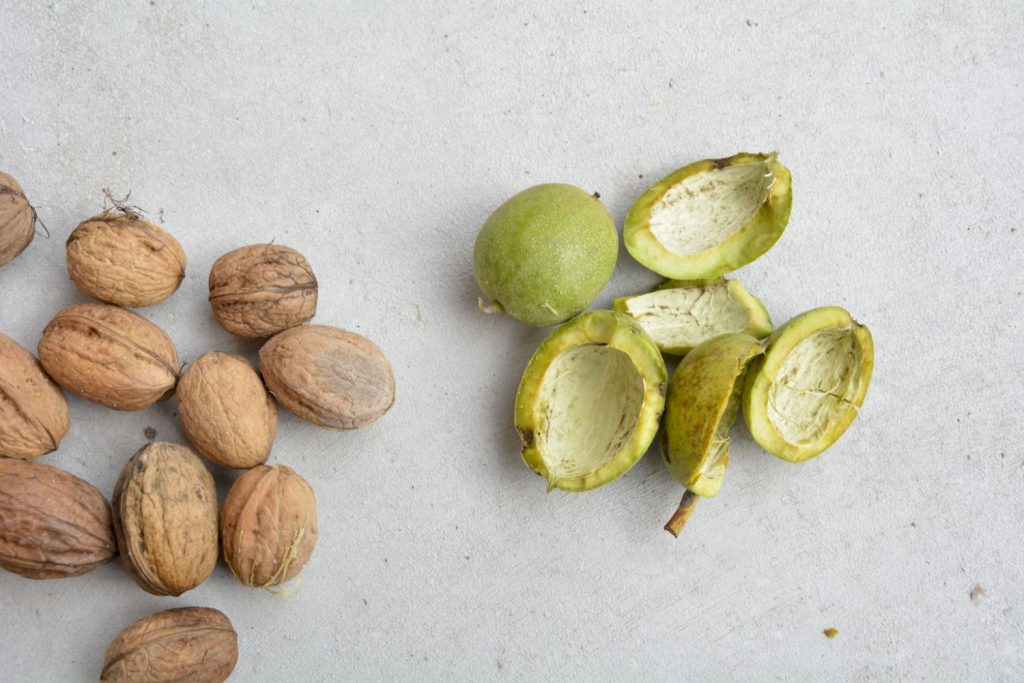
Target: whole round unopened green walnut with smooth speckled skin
x=546, y=254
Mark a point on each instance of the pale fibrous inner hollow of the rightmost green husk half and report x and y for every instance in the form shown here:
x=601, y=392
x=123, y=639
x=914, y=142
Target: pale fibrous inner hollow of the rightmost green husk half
x=816, y=386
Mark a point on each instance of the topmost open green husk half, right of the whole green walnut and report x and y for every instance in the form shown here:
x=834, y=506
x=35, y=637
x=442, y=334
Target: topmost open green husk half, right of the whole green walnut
x=711, y=218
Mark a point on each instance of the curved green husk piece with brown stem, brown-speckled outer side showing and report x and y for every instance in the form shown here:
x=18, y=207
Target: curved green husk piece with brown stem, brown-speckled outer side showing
x=703, y=404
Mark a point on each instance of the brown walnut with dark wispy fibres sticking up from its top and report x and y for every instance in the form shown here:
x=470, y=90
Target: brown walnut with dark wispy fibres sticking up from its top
x=123, y=260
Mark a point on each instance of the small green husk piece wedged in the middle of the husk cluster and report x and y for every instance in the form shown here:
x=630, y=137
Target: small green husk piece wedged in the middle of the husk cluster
x=681, y=315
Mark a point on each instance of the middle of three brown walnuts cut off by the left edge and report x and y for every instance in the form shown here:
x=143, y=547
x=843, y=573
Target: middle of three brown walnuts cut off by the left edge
x=33, y=410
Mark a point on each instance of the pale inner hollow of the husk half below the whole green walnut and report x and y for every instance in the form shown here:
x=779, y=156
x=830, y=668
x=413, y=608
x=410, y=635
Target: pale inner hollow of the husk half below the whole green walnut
x=590, y=403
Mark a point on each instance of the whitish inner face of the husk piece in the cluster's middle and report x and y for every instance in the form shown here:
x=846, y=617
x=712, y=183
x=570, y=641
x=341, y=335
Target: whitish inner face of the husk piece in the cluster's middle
x=689, y=316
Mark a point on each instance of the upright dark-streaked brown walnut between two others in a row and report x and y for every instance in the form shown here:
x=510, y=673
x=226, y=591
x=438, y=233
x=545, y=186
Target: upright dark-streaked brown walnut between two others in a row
x=165, y=517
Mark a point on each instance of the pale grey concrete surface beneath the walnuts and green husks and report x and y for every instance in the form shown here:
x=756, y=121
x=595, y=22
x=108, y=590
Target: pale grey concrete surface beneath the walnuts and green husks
x=376, y=138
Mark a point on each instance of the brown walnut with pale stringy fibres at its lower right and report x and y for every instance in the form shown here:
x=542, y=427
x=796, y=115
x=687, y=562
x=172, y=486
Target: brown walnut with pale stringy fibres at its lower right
x=269, y=526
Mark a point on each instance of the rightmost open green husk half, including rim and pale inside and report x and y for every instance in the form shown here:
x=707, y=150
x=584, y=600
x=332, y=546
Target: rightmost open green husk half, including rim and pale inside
x=805, y=392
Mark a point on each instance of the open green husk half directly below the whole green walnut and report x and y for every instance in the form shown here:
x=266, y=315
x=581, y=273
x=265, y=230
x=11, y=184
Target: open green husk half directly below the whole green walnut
x=590, y=402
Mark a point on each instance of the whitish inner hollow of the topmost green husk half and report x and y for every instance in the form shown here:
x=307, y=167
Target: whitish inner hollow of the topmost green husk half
x=706, y=209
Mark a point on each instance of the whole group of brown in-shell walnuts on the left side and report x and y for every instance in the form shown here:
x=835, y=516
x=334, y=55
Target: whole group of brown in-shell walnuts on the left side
x=163, y=519
